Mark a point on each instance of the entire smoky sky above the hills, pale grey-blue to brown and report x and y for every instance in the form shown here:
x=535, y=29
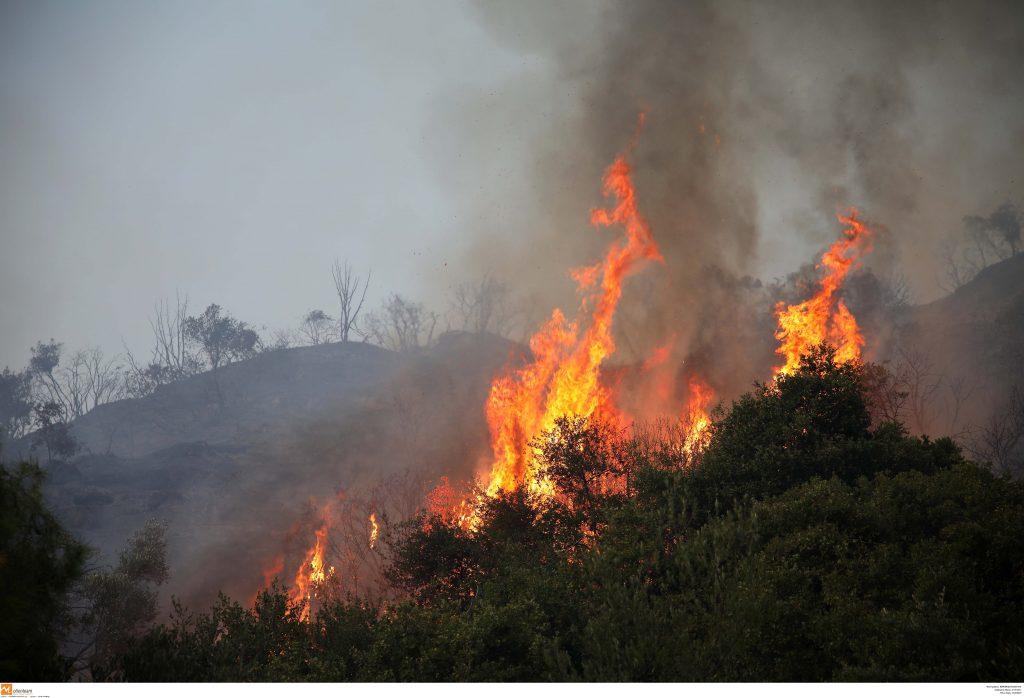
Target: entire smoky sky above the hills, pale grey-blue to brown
x=231, y=151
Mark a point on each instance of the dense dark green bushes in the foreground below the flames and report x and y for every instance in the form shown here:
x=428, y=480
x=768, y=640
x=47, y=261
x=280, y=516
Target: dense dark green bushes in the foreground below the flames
x=803, y=545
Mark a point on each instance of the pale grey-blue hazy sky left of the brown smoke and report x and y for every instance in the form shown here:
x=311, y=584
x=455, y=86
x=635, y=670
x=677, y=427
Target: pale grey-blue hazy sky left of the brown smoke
x=228, y=151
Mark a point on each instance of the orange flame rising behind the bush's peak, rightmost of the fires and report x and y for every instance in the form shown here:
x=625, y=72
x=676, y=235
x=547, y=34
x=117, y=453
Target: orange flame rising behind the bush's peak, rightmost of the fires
x=825, y=317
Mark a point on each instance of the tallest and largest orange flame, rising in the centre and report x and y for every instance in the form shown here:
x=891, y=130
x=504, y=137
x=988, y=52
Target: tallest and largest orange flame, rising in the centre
x=565, y=377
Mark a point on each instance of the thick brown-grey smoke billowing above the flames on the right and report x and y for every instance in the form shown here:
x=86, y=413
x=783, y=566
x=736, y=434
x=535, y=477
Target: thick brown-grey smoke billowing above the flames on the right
x=763, y=121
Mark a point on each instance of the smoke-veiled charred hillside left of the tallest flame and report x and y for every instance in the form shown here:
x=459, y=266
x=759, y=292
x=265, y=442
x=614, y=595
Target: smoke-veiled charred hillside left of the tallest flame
x=231, y=473
